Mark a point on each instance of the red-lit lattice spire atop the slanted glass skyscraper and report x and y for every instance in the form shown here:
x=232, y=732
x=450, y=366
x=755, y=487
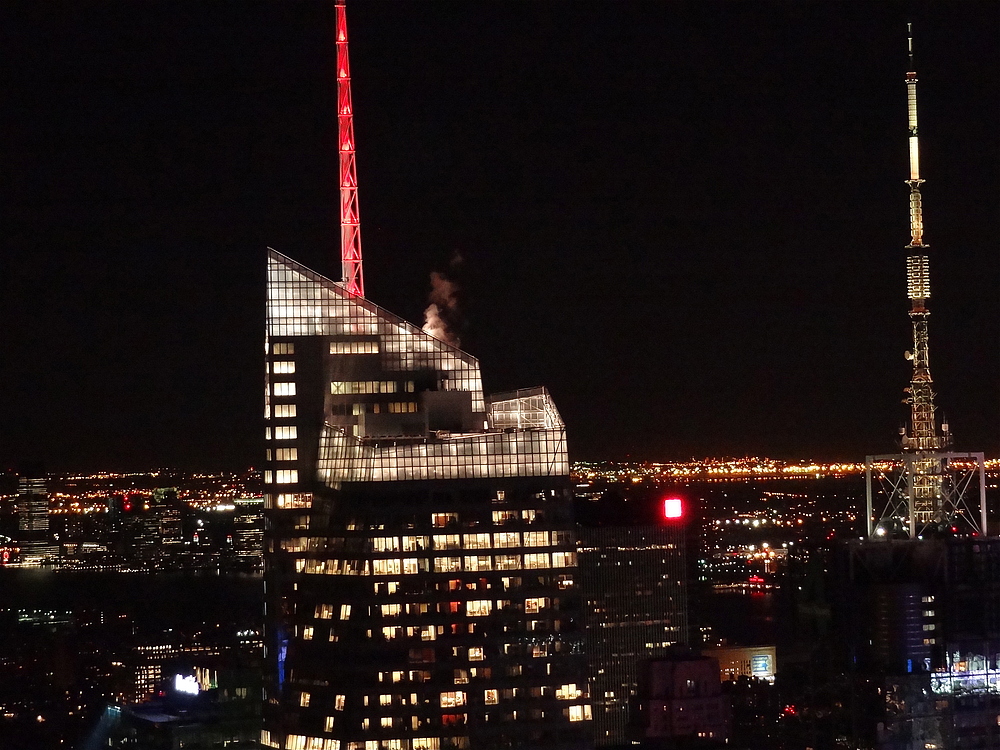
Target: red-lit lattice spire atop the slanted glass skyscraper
x=350, y=229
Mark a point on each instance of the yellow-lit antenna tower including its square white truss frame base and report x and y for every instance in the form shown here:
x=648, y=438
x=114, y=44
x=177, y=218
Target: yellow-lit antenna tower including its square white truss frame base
x=927, y=489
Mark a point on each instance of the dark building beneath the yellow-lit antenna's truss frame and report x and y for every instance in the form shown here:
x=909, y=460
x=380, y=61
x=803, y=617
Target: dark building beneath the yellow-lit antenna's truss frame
x=921, y=617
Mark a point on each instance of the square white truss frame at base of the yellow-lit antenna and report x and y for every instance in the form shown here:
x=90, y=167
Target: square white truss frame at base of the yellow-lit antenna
x=914, y=495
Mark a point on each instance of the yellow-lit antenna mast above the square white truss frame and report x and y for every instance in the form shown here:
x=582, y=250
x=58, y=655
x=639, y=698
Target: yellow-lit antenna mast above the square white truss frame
x=922, y=434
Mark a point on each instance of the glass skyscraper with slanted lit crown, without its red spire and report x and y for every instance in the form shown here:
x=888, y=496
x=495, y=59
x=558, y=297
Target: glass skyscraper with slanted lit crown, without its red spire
x=420, y=558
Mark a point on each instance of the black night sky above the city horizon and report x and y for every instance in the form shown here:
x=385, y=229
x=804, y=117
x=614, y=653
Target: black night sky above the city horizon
x=687, y=219
